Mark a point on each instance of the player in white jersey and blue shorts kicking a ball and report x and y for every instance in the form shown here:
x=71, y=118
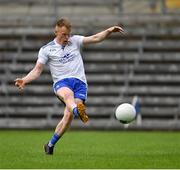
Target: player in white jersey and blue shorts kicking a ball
x=64, y=59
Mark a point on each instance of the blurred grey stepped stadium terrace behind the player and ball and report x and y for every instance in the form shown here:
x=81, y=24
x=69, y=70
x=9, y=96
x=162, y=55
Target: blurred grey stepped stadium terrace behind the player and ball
x=145, y=62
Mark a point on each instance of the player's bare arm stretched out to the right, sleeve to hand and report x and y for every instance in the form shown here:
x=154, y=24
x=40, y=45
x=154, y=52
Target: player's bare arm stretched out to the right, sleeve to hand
x=101, y=35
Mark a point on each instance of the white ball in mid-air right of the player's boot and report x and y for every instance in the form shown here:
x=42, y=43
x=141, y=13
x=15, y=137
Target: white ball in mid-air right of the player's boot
x=125, y=113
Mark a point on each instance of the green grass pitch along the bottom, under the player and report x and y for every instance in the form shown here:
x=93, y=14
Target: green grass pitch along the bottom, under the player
x=91, y=149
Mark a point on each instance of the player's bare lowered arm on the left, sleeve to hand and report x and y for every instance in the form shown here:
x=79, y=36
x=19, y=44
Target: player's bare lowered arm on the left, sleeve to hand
x=32, y=75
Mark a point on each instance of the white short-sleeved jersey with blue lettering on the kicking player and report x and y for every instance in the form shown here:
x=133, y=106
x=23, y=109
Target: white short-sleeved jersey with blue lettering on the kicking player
x=64, y=62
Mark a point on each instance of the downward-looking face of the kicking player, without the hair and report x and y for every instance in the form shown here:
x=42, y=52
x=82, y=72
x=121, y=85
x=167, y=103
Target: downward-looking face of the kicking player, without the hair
x=62, y=34
